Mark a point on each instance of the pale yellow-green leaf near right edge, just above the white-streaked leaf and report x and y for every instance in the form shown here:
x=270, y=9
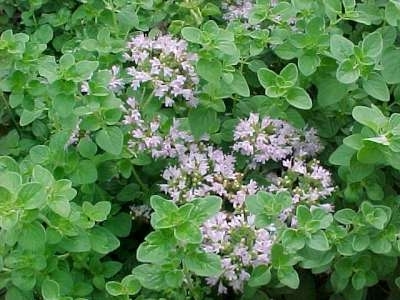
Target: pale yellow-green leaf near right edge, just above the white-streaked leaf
x=370, y=117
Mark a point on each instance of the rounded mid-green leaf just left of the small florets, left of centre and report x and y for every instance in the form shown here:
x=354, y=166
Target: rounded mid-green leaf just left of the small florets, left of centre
x=110, y=139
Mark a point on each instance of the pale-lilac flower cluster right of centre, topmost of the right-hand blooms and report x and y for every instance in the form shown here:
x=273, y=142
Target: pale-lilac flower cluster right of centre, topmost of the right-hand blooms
x=271, y=139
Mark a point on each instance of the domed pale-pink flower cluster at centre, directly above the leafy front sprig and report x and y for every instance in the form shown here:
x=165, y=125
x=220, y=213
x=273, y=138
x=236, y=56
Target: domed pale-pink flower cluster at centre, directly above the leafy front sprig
x=203, y=171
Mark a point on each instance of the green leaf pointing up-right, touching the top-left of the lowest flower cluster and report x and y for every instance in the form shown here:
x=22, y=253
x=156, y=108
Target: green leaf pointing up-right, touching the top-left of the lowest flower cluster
x=205, y=208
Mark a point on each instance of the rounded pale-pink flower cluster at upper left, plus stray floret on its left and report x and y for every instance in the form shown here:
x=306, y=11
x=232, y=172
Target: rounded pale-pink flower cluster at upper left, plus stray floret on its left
x=163, y=65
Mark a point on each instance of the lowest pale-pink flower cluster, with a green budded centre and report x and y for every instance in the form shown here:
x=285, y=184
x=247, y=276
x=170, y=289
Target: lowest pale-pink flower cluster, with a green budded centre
x=240, y=245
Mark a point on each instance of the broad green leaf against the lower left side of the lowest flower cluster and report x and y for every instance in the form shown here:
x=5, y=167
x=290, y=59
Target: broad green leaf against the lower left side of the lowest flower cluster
x=204, y=264
